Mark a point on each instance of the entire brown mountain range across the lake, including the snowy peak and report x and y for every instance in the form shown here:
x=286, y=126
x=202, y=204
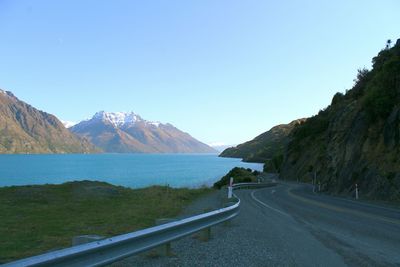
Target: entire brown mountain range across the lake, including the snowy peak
x=25, y=129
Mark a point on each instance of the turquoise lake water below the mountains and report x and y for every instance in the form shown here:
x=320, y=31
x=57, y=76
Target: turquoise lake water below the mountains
x=131, y=170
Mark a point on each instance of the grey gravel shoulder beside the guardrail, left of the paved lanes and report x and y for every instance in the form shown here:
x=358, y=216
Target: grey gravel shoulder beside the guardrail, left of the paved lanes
x=254, y=238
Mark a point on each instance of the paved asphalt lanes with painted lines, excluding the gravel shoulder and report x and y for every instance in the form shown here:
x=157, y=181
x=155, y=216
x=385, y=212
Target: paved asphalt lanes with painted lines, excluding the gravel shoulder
x=359, y=234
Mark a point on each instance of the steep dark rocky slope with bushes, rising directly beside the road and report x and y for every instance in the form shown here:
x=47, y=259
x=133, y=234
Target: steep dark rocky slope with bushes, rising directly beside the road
x=357, y=138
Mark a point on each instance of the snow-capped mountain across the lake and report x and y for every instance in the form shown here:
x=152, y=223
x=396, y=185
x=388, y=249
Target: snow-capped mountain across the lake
x=127, y=132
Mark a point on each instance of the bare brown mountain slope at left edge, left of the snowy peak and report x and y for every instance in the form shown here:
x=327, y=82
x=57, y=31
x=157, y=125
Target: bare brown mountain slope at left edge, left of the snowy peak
x=24, y=129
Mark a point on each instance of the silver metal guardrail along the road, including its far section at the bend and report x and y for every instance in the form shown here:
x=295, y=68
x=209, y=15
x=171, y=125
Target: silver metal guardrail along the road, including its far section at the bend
x=112, y=249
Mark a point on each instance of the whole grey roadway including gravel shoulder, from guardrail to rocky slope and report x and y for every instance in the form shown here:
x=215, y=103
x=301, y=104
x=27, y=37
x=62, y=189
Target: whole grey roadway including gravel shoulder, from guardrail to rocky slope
x=289, y=225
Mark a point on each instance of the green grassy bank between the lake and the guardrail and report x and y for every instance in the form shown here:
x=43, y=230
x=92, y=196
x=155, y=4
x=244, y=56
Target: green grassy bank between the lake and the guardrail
x=36, y=219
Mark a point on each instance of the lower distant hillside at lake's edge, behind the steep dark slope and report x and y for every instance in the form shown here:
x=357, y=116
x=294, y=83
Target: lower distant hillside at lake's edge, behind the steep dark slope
x=265, y=146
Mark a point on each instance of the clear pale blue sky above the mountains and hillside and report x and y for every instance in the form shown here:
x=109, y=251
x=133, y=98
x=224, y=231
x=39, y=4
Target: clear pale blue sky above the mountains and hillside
x=224, y=71
